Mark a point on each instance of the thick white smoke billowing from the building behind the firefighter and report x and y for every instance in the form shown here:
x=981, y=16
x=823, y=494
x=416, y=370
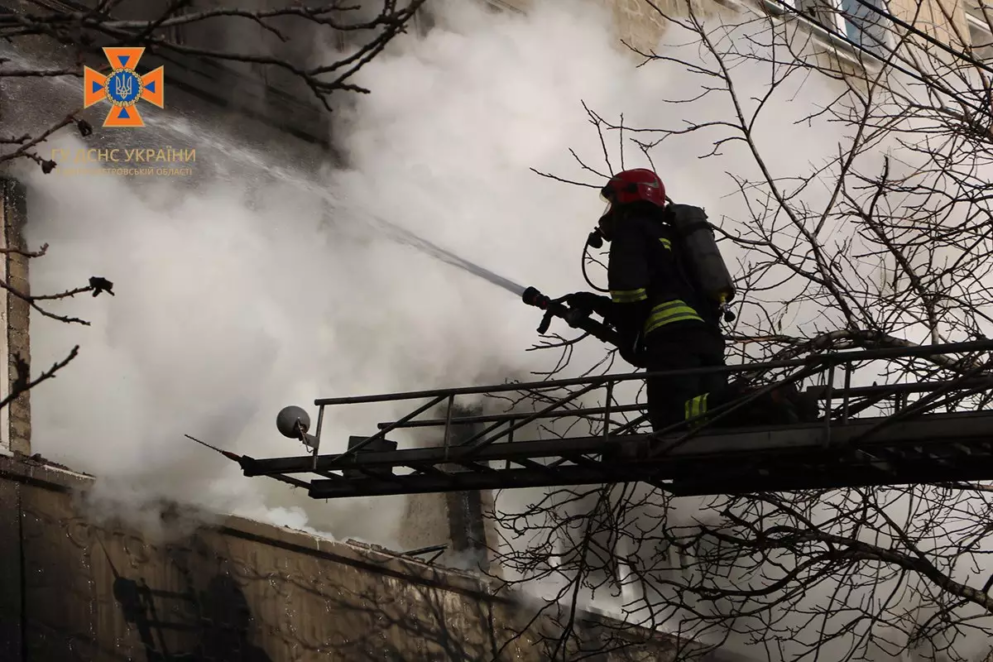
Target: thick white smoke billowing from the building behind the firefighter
x=237, y=297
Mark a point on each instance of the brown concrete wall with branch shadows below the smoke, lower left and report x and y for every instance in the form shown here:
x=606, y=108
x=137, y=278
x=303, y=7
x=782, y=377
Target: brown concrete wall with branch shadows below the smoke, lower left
x=77, y=588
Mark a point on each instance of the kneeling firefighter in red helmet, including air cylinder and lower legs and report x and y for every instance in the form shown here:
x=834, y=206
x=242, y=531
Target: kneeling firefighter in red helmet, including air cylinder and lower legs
x=663, y=315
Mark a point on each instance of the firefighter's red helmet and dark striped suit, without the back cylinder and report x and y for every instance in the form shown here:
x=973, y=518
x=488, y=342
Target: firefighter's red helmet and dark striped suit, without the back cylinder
x=662, y=320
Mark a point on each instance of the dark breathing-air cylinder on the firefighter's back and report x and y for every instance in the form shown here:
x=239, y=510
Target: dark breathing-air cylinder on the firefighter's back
x=702, y=254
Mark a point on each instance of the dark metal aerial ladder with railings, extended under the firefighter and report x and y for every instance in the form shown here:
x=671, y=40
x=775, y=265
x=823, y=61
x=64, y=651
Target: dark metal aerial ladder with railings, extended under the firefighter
x=908, y=444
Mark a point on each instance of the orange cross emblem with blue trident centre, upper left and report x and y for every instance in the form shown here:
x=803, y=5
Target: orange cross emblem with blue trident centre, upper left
x=123, y=87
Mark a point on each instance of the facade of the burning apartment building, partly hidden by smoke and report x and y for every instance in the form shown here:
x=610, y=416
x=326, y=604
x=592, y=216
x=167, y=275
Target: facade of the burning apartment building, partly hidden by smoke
x=209, y=591
